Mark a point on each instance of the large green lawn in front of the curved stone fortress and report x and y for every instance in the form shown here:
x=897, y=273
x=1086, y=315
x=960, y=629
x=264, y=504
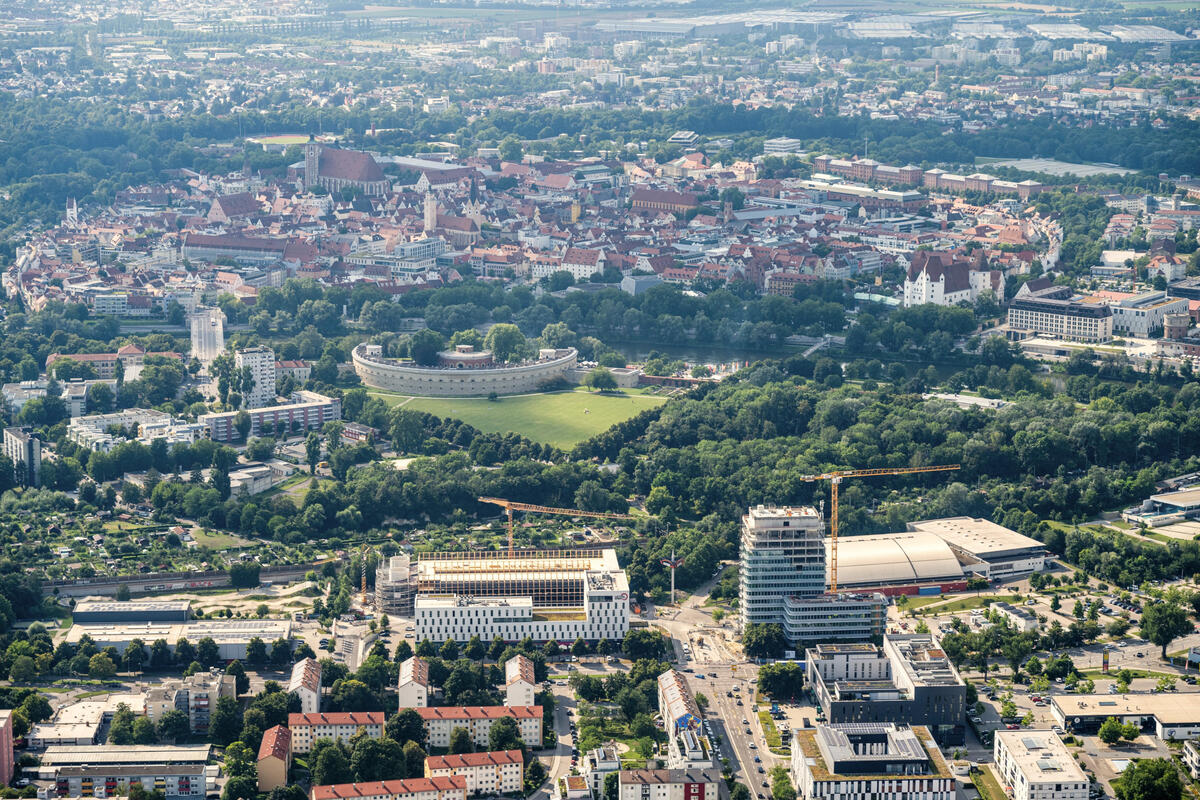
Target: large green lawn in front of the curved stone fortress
x=560, y=419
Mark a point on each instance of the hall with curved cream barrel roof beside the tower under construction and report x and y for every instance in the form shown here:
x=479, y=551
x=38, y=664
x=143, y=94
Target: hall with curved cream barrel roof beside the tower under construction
x=897, y=564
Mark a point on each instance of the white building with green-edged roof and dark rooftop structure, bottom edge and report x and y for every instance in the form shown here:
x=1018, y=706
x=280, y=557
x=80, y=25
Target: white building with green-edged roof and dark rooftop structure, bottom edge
x=880, y=761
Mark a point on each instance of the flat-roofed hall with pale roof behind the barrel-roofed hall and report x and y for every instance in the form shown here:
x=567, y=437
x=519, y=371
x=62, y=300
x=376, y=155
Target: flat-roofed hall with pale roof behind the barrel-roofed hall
x=986, y=549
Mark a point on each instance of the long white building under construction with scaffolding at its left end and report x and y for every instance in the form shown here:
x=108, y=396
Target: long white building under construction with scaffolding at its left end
x=561, y=596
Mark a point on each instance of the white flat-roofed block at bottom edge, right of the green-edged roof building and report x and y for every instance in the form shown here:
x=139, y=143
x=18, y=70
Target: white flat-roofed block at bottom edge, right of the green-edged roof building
x=1035, y=765
